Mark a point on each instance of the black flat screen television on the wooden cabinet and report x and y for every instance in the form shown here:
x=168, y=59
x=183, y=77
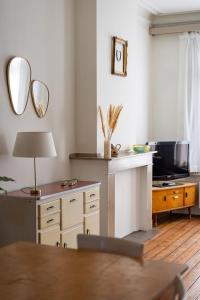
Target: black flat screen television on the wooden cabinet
x=171, y=160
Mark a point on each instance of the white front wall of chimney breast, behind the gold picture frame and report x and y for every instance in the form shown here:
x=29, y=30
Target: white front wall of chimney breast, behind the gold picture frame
x=122, y=18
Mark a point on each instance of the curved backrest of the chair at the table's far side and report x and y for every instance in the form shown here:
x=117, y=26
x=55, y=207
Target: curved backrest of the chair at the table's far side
x=112, y=245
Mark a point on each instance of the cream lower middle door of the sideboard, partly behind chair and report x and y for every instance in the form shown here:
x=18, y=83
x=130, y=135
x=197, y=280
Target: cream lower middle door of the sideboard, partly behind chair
x=69, y=238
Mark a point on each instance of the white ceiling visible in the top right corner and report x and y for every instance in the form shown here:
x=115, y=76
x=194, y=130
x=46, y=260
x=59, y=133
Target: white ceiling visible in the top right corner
x=160, y=7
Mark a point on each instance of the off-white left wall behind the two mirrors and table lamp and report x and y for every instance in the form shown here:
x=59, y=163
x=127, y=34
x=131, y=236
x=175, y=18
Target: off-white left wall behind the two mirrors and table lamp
x=43, y=32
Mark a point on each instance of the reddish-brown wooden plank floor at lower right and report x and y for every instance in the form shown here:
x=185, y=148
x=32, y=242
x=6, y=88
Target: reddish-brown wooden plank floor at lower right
x=179, y=241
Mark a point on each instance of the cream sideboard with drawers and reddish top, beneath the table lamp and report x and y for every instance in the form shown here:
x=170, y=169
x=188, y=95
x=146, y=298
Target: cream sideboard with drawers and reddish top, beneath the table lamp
x=54, y=218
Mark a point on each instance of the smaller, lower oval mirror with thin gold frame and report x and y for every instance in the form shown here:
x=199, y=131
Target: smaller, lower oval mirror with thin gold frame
x=40, y=95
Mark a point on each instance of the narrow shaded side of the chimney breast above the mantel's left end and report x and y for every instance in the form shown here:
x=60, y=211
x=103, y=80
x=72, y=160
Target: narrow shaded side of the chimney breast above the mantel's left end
x=86, y=73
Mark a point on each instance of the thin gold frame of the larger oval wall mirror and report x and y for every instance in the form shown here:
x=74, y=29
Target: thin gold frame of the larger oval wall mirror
x=8, y=84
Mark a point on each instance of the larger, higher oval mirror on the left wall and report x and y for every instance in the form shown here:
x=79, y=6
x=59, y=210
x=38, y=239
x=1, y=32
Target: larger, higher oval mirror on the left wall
x=19, y=78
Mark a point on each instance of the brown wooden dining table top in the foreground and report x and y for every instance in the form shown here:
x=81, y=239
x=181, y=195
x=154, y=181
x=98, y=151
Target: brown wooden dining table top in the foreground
x=29, y=271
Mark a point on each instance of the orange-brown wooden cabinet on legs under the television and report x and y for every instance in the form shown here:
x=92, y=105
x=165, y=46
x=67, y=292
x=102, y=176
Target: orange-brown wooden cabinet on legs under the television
x=172, y=198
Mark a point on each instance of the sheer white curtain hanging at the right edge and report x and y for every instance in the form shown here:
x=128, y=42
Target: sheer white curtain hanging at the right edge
x=189, y=96
